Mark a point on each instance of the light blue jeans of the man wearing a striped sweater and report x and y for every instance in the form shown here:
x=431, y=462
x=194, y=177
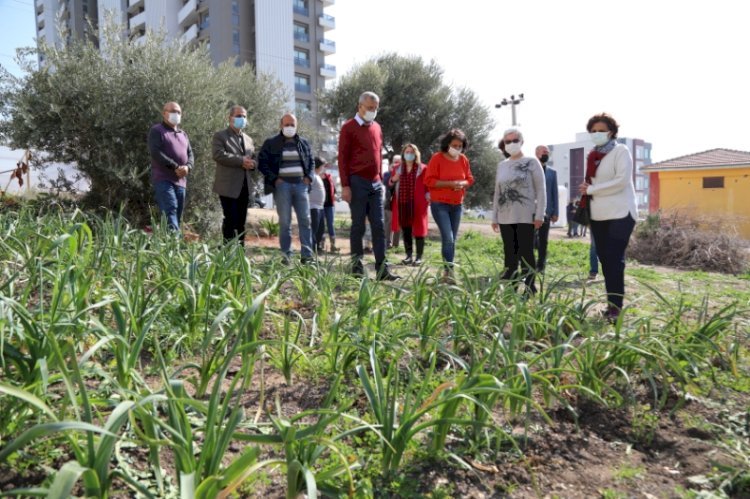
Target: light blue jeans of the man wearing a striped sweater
x=288, y=195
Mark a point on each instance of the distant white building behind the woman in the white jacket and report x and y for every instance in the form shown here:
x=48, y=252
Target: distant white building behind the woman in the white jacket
x=569, y=160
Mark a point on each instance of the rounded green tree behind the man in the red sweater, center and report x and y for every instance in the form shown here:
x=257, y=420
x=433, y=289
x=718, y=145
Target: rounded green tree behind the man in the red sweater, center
x=417, y=106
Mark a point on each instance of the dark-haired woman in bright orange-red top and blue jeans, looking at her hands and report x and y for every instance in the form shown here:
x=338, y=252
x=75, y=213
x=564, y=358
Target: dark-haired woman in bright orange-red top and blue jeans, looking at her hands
x=448, y=175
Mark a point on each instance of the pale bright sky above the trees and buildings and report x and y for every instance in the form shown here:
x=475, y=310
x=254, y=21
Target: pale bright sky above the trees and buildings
x=674, y=73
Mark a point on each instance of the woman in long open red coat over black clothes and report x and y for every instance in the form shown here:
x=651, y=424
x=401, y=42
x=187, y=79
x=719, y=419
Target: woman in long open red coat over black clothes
x=410, y=202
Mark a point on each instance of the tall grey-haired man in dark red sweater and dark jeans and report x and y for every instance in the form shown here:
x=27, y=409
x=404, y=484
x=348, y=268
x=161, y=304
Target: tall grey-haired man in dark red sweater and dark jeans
x=360, y=165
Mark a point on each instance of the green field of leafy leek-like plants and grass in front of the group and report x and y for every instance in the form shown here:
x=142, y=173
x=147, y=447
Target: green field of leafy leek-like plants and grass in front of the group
x=110, y=336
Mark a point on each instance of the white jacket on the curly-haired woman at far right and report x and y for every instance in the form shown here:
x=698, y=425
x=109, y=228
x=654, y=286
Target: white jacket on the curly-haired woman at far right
x=612, y=188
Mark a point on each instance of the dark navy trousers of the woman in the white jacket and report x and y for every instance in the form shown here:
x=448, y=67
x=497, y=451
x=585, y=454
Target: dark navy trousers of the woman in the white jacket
x=611, y=238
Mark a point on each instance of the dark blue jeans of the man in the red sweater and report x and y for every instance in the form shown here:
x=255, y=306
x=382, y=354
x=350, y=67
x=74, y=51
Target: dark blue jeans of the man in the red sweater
x=367, y=202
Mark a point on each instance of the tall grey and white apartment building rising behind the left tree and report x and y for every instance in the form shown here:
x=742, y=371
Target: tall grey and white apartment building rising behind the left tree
x=287, y=38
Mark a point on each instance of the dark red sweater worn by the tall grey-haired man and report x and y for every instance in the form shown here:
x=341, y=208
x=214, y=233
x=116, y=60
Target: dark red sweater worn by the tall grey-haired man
x=360, y=151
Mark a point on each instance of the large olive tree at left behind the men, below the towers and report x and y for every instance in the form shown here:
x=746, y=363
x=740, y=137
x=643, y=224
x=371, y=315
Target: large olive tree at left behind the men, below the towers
x=93, y=106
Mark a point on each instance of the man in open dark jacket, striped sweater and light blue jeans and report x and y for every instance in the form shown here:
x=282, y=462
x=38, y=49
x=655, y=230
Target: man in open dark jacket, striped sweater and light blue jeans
x=286, y=162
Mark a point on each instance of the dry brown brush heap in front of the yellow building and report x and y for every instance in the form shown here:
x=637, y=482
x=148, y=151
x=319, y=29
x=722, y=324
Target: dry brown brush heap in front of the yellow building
x=684, y=241
